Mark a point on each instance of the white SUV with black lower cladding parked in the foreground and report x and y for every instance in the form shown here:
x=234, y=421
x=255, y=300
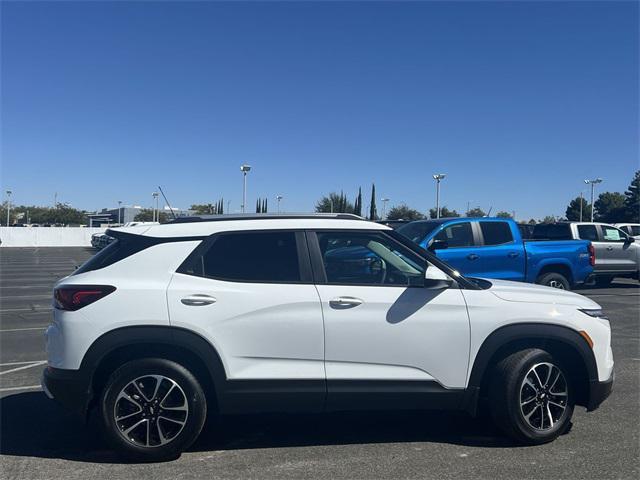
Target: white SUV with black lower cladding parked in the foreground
x=225, y=315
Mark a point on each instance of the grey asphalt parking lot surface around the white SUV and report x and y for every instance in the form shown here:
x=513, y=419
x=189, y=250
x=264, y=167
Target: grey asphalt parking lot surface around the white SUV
x=39, y=440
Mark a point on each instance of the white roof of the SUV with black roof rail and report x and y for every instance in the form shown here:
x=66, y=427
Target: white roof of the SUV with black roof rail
x=207, y=225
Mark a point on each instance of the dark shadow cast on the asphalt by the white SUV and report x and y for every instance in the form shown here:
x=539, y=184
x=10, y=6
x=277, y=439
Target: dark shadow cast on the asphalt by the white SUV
x=34, y=426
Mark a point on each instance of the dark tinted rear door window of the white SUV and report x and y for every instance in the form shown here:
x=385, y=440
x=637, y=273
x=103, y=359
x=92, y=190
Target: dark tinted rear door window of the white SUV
x=267, y=257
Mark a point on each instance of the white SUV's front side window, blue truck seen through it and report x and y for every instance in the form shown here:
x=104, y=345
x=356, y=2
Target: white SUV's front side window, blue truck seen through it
x=368, y=258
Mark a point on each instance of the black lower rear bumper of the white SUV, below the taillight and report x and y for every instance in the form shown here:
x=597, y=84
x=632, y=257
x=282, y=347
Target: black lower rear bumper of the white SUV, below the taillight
x=69, y=388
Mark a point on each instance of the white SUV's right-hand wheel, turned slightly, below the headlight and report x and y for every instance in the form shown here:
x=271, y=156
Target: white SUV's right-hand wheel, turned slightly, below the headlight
x=508, y=389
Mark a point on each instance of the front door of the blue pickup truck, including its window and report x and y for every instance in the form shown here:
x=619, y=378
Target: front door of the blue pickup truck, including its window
x=463, y=250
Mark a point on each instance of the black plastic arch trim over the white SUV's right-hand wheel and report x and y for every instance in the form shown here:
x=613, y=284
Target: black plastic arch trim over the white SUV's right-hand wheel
x=563, y=342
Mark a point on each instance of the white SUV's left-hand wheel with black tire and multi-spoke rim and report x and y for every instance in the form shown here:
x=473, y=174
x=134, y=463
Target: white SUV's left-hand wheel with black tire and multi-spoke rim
x=179, y=428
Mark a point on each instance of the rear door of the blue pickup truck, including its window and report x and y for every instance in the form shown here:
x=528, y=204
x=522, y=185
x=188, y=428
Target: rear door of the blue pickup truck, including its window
x=502, y=256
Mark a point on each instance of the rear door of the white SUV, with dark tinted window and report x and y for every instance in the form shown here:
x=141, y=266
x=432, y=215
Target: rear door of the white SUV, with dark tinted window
x=251, y=295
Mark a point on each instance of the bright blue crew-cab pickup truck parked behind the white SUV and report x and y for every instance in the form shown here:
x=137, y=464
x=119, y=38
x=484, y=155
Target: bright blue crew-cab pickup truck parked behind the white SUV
x=493, y=248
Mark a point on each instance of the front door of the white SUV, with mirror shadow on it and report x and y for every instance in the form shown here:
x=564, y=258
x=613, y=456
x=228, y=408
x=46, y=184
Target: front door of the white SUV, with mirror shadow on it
x=384, y=331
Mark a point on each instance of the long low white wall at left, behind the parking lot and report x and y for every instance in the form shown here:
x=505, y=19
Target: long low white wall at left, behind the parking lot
x=47, y=236
